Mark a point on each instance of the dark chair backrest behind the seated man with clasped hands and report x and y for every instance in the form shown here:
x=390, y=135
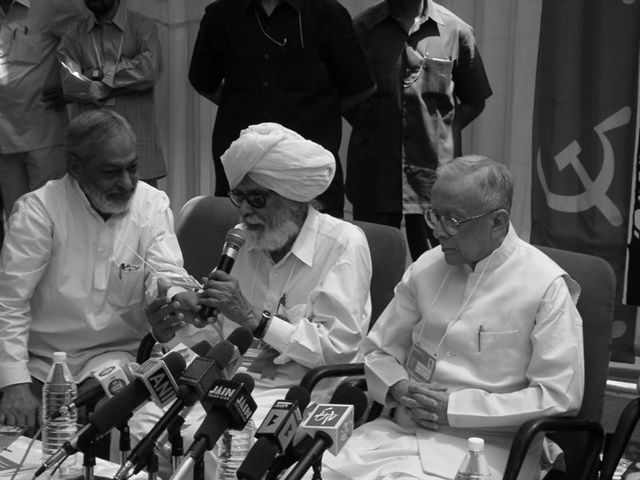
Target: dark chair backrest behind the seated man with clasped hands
x=596, y=304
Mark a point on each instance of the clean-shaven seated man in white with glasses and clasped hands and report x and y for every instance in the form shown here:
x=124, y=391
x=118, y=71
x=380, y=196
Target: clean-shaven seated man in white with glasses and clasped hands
x=481, y=335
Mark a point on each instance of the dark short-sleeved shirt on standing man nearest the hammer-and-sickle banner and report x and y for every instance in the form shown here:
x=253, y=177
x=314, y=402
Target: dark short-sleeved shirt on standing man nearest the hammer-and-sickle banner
x=409, y=126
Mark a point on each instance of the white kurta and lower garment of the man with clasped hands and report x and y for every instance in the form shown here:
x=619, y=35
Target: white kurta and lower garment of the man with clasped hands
x=508, y=343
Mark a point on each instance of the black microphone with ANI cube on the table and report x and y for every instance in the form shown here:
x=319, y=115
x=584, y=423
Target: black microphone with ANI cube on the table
x=159, y=379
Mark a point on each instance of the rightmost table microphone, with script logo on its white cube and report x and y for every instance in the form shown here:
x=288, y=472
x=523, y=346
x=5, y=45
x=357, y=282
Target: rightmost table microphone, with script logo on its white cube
x=331, y=426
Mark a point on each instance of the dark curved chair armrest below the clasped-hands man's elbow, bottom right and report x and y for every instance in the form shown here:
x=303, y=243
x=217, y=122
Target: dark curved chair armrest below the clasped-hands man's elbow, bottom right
x=527, y=432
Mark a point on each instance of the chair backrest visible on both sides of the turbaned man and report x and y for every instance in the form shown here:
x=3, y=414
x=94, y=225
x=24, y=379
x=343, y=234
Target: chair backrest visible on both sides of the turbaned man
x=203, y=222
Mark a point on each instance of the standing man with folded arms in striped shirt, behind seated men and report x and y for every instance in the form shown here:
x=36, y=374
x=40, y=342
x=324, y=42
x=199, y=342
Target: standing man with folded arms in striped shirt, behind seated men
x=113, y=60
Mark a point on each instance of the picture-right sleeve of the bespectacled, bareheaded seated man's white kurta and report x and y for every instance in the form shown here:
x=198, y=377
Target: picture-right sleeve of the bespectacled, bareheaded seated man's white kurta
x=555, y=372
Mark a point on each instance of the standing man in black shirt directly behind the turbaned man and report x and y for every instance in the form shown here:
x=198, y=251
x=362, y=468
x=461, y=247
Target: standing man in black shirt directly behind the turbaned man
x=294, y=62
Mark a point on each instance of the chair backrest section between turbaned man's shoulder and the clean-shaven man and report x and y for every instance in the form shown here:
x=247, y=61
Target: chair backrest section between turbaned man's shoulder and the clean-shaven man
x=388, y=260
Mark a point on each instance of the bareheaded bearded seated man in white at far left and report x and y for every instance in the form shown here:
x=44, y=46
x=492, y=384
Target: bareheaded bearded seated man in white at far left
x=82, y=259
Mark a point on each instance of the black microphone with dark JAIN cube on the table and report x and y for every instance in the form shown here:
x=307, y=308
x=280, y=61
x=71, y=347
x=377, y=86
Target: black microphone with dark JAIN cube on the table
x=230, y=407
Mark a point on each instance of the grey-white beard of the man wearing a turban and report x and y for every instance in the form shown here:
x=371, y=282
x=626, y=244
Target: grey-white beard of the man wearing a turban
x=274, y=234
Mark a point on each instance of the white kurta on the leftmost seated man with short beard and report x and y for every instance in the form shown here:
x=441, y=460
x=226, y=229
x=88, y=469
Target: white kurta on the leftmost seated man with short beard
x=71, y=281
